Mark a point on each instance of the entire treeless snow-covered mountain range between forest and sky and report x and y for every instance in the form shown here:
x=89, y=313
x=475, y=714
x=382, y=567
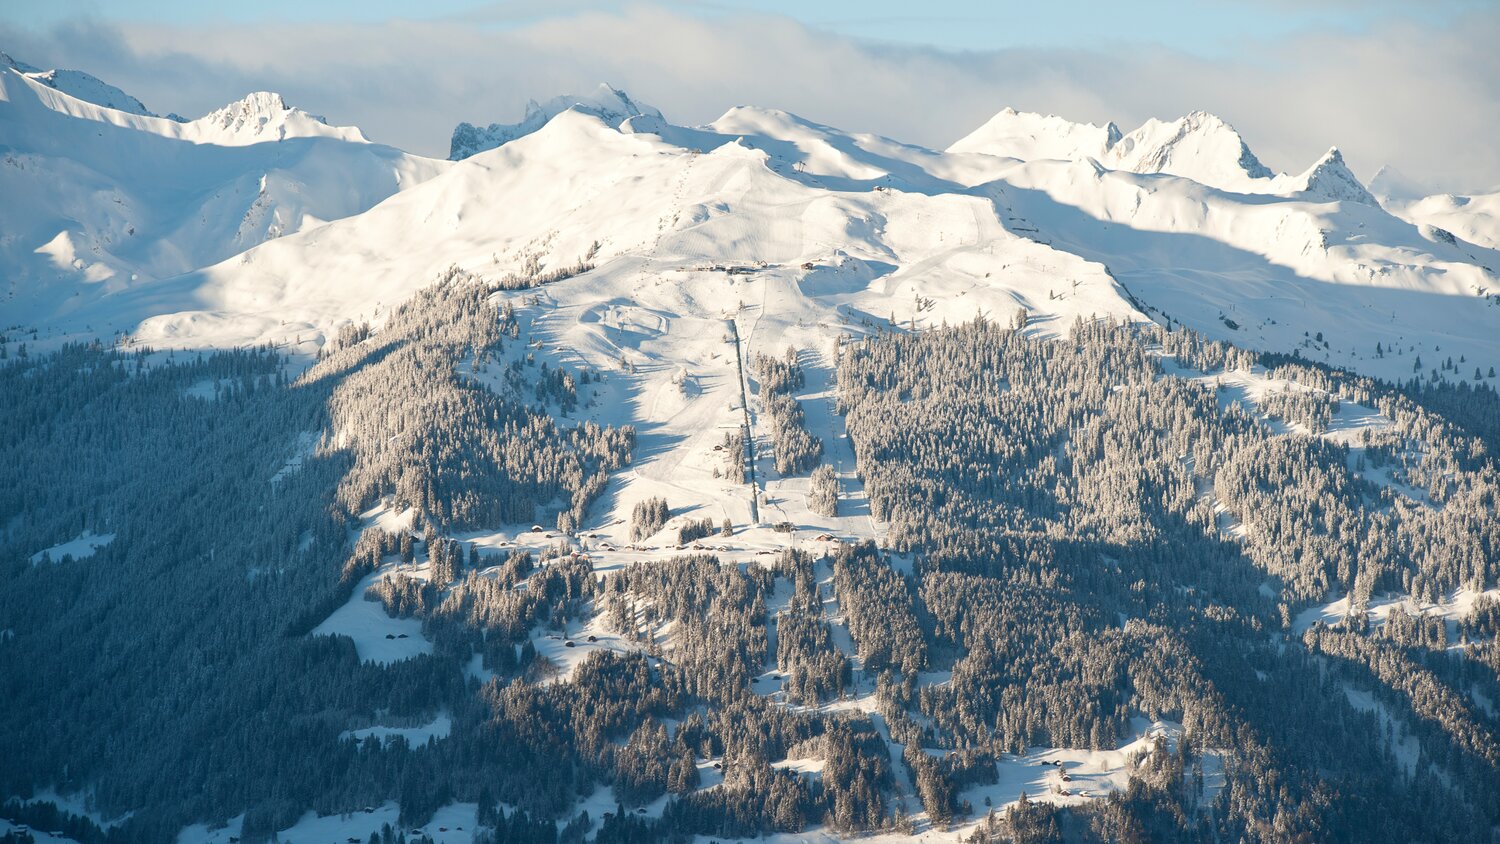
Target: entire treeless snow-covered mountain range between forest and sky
x=1175, y=220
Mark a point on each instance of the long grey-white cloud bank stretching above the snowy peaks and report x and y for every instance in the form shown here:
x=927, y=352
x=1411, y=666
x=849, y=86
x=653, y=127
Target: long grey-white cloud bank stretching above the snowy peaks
x=1423, y=97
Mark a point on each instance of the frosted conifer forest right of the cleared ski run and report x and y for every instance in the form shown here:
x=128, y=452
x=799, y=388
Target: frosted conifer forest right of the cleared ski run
x=1070, y=501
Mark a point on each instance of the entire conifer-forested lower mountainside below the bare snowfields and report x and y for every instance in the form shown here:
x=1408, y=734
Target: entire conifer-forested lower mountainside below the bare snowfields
x=1109, y=564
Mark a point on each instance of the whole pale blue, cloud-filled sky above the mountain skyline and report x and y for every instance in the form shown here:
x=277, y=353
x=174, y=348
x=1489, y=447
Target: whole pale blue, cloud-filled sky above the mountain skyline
x=1409, y=85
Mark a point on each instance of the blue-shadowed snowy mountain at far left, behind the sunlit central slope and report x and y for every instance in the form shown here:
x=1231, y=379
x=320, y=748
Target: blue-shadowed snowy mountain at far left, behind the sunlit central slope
x=101, y=199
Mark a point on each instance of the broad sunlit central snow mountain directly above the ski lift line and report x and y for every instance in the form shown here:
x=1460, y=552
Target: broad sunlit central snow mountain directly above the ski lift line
x=668, y=223
